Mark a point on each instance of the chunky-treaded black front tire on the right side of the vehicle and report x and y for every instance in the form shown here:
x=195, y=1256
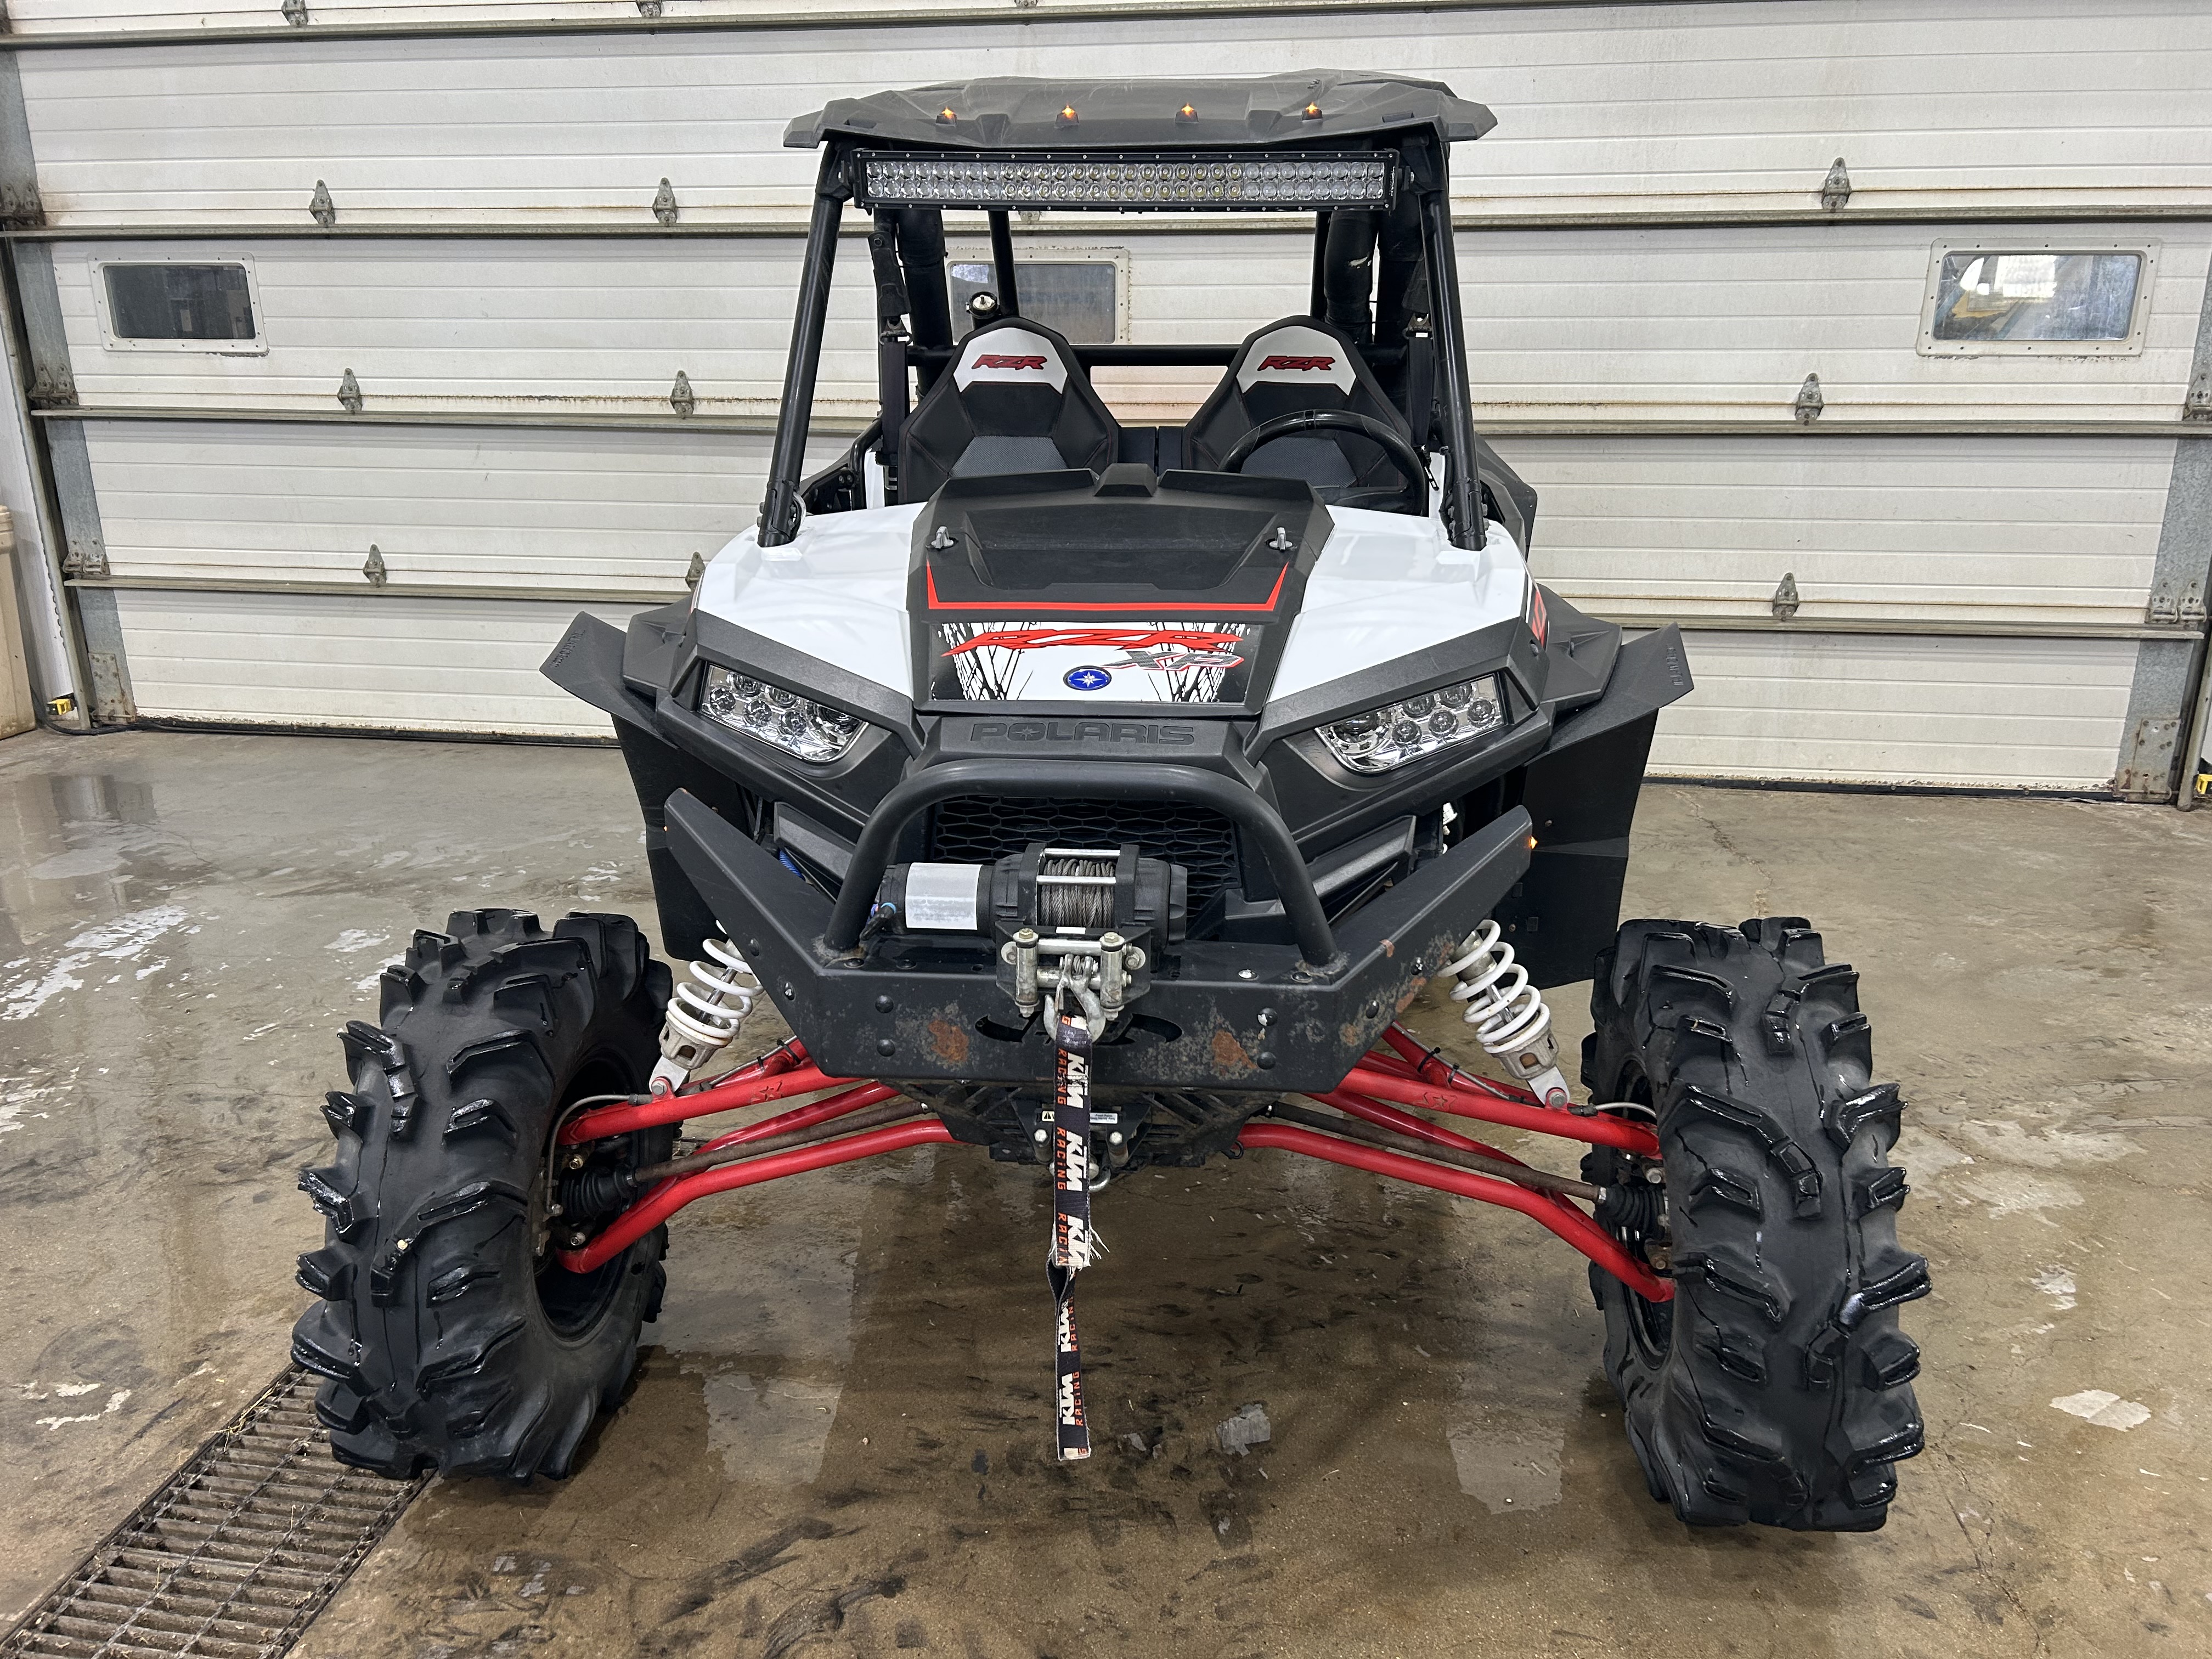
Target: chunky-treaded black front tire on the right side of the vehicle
x=1775, y=1388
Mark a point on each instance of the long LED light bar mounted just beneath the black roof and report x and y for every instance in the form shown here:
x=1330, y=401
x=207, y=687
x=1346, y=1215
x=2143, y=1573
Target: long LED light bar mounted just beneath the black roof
x=1193, y=182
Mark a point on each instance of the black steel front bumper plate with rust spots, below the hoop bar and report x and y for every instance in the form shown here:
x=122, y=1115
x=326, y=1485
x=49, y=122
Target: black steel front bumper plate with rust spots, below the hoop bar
x=1220, y=1016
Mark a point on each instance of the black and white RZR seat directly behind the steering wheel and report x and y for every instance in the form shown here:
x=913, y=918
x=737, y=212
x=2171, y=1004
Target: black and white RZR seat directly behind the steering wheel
x=1286, y=368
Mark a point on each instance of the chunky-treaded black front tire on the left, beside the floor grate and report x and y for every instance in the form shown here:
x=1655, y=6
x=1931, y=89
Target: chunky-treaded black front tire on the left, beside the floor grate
x=446, y=1328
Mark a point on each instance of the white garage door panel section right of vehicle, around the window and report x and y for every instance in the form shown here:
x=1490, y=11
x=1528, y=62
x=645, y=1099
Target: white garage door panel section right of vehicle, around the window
x=1726, y=324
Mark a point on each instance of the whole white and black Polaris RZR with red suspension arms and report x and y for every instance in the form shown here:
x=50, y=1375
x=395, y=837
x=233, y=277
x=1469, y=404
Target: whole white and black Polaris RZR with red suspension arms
x=1087, y=793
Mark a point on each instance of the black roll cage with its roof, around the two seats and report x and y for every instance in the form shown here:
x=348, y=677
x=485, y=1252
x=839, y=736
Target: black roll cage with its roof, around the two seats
x=1384, y=267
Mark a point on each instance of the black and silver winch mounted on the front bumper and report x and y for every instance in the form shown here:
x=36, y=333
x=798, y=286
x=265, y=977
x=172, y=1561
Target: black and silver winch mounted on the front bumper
x=1081, y=919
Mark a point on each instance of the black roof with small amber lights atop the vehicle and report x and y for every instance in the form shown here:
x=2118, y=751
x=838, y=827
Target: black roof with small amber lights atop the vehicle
x=1021, y=114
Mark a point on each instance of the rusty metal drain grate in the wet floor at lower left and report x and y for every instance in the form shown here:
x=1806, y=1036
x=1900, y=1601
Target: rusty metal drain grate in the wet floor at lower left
x=233, y=1556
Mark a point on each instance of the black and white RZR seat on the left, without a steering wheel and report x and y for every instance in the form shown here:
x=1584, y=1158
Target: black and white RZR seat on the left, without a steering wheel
x=1014, y=401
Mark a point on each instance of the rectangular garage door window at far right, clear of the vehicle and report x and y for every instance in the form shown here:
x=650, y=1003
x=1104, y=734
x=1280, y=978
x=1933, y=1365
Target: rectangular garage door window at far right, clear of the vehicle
x=2063, y=302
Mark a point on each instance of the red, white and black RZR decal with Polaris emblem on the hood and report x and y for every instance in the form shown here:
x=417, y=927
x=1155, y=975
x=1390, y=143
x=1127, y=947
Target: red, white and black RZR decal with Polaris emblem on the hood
x=1160, y=662
